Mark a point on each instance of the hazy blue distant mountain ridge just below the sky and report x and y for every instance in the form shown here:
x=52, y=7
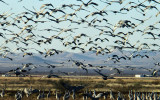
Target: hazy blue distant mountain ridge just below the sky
x=88, y=57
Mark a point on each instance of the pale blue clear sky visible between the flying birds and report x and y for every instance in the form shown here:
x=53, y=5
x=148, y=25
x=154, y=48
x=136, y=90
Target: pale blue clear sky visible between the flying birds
x=16, y=8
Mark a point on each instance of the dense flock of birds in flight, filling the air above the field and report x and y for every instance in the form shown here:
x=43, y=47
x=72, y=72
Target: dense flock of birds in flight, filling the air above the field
x=82, y=26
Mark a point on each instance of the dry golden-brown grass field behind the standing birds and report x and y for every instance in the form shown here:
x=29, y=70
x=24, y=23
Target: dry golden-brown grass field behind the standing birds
x=122, y=84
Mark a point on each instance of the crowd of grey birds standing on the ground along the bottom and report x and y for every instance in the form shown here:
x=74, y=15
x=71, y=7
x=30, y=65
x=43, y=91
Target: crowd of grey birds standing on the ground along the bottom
x=73, y=94
